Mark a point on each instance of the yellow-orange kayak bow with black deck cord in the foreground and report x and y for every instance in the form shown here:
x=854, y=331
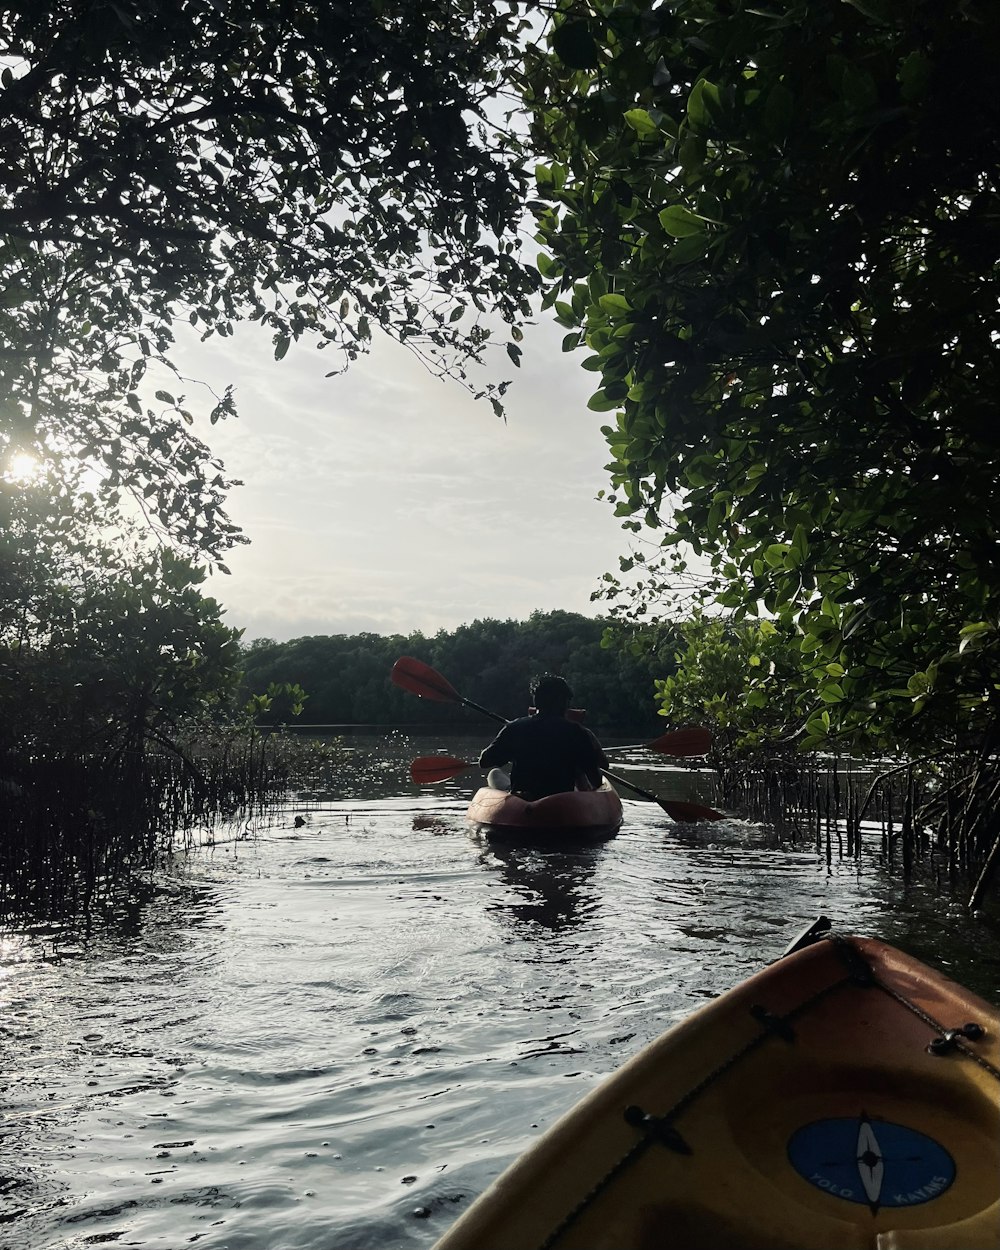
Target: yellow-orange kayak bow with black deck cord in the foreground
x=846, y=1098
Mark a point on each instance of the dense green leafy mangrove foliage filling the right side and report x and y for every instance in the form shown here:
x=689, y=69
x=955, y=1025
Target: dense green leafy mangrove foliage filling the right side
x=774, y=229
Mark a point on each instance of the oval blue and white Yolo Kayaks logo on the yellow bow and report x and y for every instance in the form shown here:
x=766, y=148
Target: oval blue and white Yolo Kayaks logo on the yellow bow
x=872, y=1162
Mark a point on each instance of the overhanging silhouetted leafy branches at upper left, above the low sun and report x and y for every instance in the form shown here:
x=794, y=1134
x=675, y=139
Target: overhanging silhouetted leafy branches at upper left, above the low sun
x=326, y=171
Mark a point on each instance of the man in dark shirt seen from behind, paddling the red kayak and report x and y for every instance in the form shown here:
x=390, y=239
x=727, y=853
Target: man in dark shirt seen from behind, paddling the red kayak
x=547, y=752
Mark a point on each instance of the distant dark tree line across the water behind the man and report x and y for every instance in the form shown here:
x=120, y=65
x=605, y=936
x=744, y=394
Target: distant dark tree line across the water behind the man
x=493, y=662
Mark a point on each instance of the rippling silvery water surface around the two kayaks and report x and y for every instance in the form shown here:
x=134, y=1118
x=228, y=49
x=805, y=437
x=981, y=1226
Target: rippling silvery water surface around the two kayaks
x=333, y=1038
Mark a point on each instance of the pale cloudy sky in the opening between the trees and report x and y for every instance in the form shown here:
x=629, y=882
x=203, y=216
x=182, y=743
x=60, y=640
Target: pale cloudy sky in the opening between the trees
x=388, y=501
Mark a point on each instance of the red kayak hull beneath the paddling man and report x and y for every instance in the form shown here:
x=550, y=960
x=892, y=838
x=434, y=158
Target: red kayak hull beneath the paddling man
x=571, y=817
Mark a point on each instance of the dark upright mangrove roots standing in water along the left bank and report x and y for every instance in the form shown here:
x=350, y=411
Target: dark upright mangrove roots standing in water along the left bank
x=81, y=833
